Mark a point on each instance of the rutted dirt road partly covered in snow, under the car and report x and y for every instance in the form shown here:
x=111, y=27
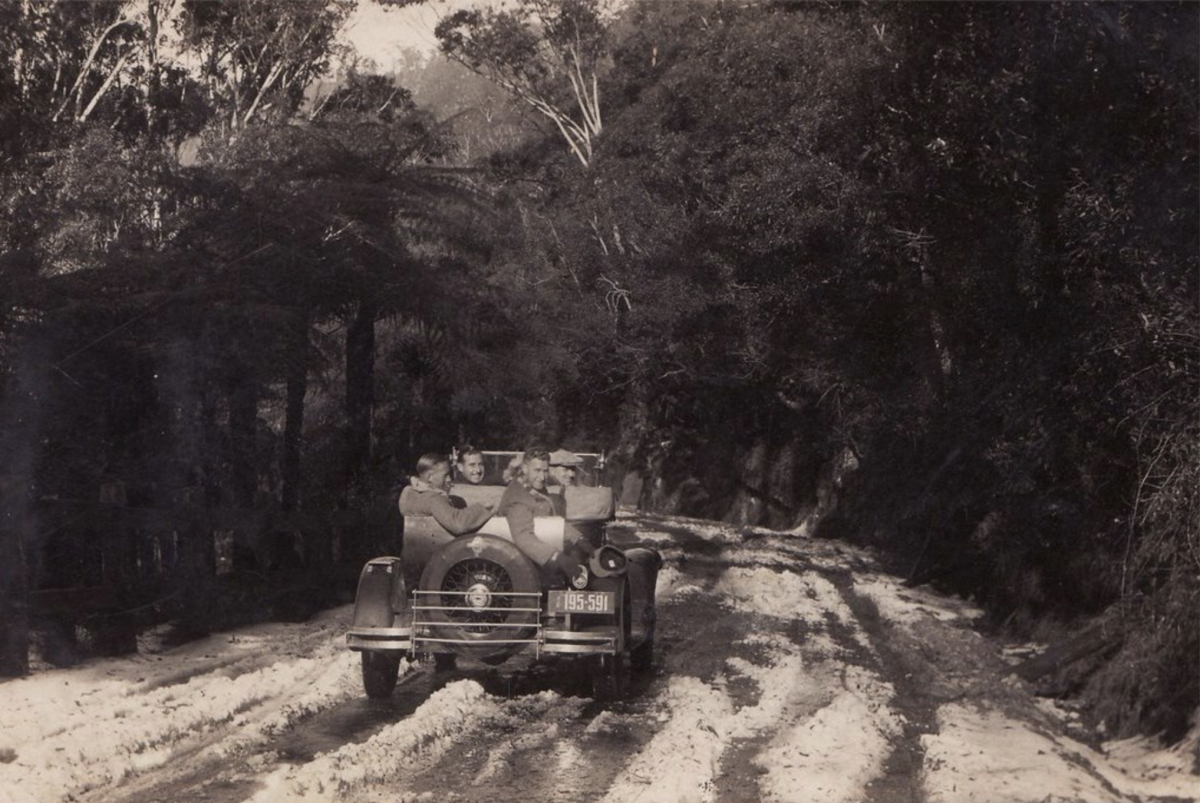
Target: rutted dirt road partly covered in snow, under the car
x=788, y=669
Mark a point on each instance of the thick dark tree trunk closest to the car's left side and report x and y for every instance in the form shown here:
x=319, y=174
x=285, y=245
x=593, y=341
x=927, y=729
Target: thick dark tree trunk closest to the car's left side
x=359, y=394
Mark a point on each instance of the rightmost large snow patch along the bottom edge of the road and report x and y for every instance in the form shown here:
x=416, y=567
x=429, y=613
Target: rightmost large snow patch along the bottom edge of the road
x=985, y=757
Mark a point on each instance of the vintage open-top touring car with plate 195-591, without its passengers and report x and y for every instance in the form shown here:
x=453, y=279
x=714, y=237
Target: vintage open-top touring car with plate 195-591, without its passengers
x=479, y=597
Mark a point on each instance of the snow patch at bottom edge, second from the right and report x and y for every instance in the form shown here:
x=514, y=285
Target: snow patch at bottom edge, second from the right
x=835, y=754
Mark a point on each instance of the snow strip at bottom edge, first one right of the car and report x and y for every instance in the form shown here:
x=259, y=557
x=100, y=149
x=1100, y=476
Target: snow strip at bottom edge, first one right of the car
x=680, y=764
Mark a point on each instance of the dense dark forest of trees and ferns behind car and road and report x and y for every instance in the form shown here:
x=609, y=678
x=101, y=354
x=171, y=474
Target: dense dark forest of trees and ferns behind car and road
x=921, y=277
